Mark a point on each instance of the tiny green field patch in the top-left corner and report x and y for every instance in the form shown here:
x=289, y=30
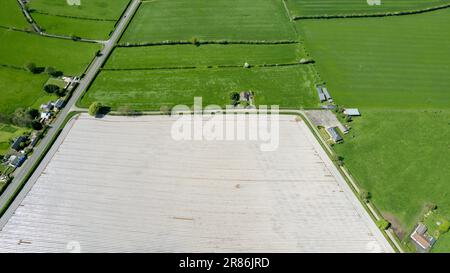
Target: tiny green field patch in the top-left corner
x=11, y=15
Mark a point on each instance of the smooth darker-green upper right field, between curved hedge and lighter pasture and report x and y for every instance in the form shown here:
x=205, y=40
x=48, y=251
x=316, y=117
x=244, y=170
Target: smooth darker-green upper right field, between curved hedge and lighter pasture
x=395, y=62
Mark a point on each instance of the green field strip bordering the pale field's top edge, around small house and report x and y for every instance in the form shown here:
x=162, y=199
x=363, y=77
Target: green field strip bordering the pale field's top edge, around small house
x=150, y=89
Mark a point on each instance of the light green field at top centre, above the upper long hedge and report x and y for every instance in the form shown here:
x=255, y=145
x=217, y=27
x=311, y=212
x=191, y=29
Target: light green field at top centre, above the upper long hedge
x=210, y=20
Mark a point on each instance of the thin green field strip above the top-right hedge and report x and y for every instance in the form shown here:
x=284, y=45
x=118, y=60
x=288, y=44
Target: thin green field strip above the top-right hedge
x=342, y=7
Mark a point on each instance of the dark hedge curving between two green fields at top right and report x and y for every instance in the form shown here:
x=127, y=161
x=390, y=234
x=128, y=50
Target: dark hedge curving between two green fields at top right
x=371, y=15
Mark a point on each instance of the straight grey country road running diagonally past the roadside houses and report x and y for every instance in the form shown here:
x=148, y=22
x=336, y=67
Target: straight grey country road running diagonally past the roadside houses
x=22, y=172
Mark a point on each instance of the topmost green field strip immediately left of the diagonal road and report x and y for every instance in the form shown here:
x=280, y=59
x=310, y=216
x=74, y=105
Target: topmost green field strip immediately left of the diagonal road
x=93, y=9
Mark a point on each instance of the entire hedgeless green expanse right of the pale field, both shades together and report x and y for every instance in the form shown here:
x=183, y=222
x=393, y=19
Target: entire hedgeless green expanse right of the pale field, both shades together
x=395, y=69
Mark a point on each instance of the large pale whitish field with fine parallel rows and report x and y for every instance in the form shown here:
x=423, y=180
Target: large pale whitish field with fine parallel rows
x=157, y=194
